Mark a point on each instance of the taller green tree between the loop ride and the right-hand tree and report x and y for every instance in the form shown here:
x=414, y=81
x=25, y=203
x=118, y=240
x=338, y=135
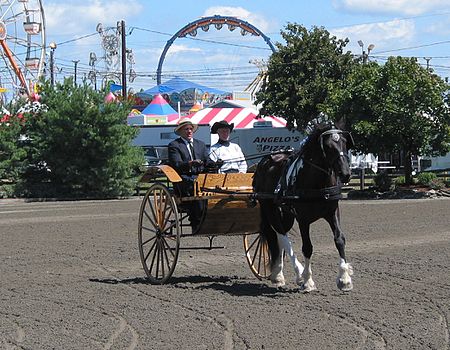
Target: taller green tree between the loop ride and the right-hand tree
x=302, y=73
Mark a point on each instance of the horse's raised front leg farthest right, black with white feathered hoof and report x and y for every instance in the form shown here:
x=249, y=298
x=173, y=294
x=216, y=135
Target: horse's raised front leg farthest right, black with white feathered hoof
x=344, y=279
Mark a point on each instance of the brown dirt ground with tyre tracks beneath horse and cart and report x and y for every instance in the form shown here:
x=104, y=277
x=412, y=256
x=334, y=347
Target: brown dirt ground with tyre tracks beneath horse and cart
x=71, y=278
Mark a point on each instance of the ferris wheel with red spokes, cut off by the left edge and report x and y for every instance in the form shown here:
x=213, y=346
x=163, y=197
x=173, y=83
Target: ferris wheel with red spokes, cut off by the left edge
x=22, y=46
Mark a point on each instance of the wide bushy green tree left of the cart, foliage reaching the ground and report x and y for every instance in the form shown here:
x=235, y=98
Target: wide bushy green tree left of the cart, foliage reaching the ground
x=80, y=146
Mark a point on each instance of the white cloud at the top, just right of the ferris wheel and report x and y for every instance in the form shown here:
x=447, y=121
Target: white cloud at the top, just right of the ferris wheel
x=81, y=17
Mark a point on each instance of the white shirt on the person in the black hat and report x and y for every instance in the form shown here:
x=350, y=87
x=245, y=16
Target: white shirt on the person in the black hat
x=232, y=157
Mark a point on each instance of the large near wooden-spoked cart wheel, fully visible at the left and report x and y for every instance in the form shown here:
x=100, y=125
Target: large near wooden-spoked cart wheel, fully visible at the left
x=159, y=234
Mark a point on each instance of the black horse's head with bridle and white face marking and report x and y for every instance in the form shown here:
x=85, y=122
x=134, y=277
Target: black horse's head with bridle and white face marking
x=333, y=143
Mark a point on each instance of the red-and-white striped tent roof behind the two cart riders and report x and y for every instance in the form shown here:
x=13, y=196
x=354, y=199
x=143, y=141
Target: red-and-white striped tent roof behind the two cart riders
x=242, y=118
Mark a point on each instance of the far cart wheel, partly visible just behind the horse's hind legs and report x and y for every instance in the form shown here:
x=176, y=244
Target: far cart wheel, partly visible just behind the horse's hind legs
x=257, y=254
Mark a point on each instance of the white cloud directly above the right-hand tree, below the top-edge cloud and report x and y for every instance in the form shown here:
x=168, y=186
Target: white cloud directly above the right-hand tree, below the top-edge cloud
x=384, y=35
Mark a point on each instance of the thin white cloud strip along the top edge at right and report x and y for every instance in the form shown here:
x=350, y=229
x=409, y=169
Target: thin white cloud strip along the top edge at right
x=402, y=7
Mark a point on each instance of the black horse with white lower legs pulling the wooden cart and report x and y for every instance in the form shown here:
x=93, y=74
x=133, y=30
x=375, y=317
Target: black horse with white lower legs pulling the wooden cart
x=306, y=186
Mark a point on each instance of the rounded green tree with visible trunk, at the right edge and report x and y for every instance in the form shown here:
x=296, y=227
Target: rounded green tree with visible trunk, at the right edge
x=399, y=106
